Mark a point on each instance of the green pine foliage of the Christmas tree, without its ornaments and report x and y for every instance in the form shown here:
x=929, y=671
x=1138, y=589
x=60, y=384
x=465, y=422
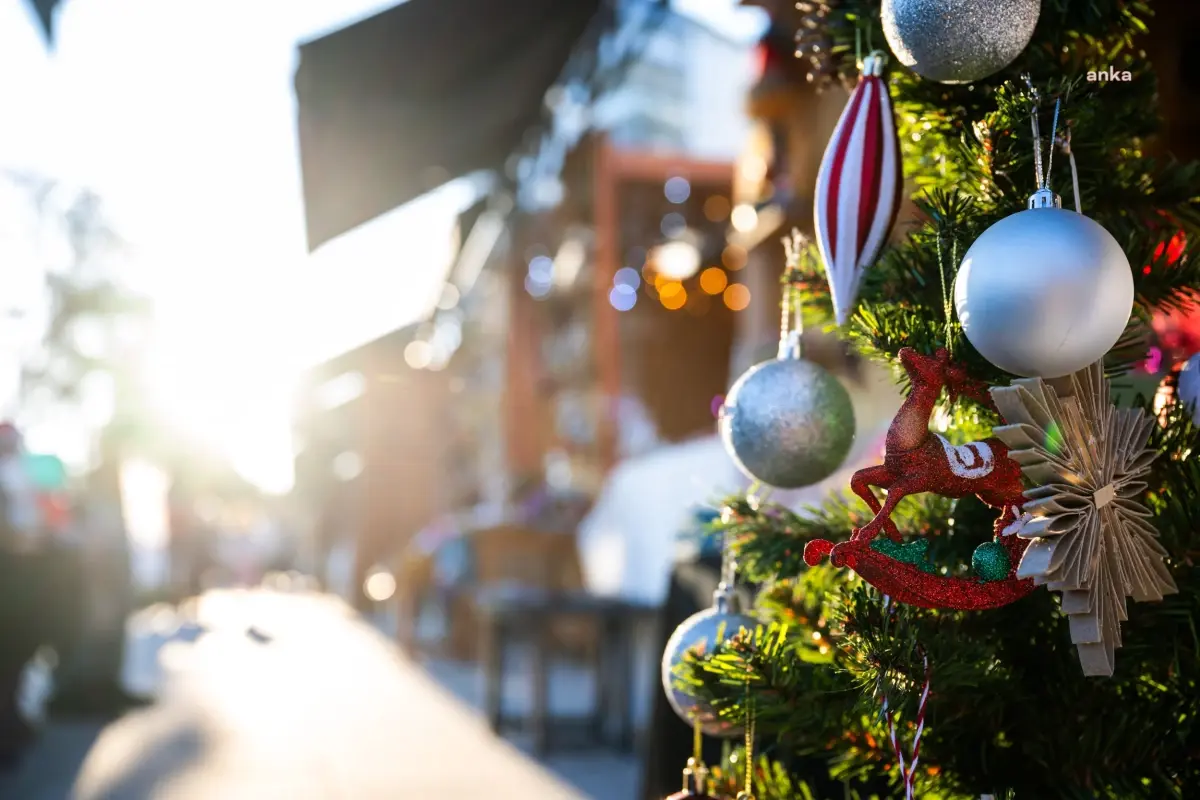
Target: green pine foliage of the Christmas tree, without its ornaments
x=1010, y=709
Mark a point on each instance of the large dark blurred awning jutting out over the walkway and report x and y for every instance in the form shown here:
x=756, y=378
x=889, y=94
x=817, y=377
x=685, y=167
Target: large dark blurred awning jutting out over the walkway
x=405, y=101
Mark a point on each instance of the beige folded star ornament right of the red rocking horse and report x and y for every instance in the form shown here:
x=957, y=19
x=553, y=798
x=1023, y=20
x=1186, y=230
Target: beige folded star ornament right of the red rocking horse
x=1091, y=536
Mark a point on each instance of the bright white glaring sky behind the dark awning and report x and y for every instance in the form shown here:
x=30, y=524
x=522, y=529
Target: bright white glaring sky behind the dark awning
x=182, y=116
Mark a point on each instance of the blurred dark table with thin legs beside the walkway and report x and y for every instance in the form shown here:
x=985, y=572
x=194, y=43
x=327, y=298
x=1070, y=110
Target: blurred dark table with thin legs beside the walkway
x=527, y=619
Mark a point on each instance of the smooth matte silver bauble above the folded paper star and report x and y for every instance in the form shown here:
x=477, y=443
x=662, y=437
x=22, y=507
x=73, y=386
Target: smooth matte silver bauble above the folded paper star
x=1045, y=293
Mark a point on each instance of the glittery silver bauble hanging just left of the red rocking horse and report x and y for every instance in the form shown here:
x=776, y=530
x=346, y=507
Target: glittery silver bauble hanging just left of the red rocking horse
x=788, y=423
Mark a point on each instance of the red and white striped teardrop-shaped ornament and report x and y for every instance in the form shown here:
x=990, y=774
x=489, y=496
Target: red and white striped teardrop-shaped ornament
x=859, y=188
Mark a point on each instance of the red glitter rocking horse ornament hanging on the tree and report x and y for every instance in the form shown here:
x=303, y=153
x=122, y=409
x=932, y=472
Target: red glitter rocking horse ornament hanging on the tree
x=917, y=461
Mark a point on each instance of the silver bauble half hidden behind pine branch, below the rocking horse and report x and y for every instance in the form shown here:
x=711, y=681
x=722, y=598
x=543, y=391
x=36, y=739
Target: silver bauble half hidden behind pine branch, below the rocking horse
x=704, y=630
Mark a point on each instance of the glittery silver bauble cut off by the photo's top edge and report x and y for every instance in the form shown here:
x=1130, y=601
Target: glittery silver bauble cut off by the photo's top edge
x=959, y=41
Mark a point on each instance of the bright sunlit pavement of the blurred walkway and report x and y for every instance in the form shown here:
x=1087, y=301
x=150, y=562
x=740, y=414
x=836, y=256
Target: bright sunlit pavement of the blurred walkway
x=280, y=697
